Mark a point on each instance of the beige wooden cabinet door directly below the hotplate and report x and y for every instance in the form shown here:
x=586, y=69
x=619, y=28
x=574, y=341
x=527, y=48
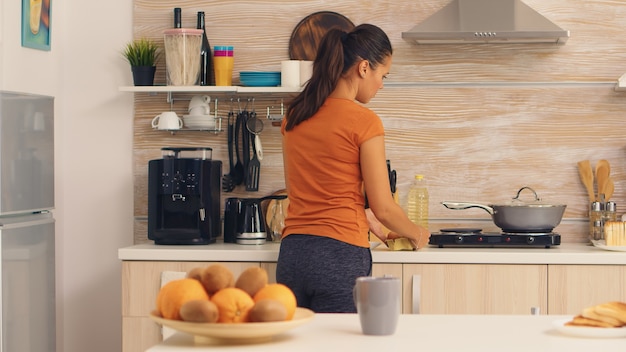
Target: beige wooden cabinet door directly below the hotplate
x=474, y=288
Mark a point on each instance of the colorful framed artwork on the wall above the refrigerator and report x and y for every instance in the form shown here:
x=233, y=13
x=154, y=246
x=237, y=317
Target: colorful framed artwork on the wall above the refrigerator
x=36, y=24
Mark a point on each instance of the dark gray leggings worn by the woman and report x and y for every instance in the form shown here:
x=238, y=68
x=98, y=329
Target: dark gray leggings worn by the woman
x=322, y=271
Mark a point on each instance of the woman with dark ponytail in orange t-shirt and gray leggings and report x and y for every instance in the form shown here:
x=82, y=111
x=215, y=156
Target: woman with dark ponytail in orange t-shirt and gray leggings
x=333, y=149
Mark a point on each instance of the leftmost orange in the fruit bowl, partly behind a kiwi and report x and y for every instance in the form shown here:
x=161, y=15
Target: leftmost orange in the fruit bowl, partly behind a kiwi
x=175, y=293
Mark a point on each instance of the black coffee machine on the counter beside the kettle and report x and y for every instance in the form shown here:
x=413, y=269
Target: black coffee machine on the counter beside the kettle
x=184, y=197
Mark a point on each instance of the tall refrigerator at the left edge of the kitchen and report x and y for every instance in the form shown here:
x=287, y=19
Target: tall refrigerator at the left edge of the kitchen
x=27, y=241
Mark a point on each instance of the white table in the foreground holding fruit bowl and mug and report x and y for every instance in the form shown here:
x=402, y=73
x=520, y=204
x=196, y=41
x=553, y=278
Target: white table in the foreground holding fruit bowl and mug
x=432, y=333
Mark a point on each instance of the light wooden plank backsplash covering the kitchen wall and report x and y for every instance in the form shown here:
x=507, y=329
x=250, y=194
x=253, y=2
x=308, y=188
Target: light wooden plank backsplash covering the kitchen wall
x=479, y=120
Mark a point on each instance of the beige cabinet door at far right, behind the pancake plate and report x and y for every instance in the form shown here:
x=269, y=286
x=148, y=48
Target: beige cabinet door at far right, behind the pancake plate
x=574, y=287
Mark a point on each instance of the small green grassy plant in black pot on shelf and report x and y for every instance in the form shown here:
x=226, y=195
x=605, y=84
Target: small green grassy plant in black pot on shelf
x=142, y=55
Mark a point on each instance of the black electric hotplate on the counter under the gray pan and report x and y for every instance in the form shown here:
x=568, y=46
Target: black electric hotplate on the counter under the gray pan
x=468, y=237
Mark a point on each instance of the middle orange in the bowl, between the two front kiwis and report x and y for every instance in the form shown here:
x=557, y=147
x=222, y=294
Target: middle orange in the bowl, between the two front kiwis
x=233, y=305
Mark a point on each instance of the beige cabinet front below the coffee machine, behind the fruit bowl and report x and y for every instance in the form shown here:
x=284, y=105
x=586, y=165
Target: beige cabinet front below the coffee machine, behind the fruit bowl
x=141, y=281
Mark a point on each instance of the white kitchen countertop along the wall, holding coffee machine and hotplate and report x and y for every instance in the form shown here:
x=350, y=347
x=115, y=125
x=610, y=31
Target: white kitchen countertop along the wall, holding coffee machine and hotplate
x=568, y=253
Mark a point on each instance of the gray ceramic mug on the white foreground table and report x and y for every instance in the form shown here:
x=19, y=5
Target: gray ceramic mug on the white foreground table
x=377, y=301
